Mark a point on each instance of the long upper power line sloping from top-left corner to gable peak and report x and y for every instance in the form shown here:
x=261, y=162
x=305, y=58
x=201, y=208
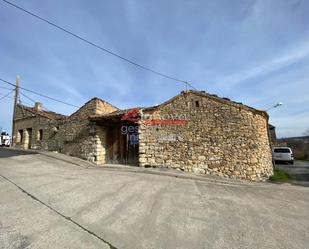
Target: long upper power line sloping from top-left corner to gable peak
x=98, y=46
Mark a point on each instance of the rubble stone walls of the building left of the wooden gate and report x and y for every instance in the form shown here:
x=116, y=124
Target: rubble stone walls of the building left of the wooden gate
x=73, y=135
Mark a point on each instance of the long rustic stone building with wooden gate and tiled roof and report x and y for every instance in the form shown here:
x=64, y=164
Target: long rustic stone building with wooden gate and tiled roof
x=193, y=131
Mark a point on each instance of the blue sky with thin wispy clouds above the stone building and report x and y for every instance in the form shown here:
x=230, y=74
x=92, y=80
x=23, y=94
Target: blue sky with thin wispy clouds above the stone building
x=252, y=51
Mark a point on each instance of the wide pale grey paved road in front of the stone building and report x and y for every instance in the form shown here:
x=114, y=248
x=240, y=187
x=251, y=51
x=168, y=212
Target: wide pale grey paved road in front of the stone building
x=49, y=203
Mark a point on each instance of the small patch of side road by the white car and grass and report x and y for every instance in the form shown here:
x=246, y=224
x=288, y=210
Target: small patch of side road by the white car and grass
x=299, y=172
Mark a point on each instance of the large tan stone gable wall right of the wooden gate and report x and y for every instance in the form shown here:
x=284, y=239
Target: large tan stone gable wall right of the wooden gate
x=221, y=138
